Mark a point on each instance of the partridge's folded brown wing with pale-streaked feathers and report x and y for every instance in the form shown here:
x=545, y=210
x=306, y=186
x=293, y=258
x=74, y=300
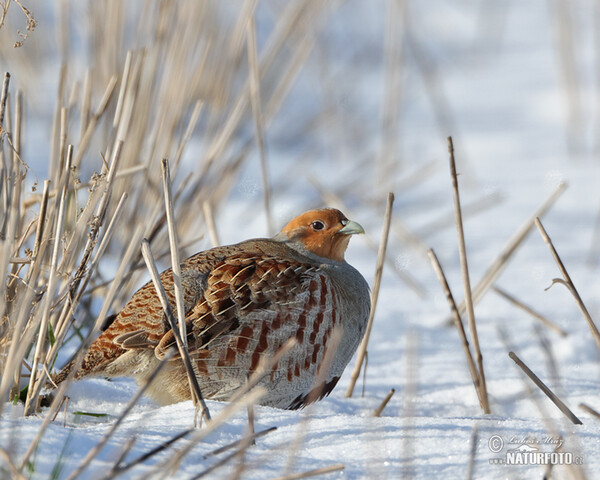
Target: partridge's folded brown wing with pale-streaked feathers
x=239, y=286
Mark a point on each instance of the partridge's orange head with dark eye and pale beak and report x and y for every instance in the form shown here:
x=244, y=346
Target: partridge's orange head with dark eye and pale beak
x=324, y=232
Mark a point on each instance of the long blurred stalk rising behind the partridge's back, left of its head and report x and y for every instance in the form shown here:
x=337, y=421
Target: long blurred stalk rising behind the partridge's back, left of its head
x=259, y=122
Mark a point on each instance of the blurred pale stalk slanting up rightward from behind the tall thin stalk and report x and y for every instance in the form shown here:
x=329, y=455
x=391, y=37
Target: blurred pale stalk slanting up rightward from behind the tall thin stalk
x=511, y=246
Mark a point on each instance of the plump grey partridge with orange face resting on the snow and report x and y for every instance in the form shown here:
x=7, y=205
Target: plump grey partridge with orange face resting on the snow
x=243, y=302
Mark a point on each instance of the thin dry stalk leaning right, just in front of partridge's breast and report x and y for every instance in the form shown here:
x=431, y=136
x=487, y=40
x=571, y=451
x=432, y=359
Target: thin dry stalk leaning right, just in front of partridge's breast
x=374, y=294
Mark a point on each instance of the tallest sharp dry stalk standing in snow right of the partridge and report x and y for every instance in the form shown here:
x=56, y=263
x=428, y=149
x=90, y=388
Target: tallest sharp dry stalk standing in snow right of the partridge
x=462, y=250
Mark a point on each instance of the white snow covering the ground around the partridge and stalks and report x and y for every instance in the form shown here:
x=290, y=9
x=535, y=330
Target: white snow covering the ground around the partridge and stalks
x=498, y=69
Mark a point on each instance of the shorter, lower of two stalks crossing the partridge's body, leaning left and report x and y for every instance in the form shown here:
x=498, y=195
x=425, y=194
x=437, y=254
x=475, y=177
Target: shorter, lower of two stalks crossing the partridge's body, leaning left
x=183, y=352
